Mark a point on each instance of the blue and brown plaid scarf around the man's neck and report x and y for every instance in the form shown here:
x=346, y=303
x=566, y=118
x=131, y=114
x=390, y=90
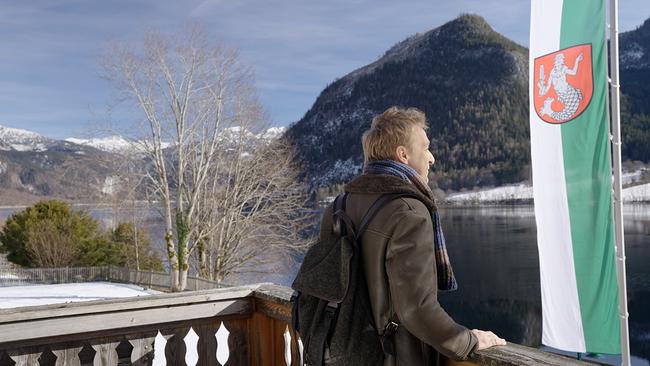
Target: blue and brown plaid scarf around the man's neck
x=446, y=278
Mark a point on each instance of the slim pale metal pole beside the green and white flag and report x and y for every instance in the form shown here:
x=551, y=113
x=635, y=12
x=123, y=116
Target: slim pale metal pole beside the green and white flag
x=617, y=195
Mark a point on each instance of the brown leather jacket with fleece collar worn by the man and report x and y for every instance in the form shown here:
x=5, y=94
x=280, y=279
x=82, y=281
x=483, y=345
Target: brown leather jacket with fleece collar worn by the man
x=399, y=262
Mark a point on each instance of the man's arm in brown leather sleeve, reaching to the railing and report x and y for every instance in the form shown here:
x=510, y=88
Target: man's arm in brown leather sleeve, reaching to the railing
x=411, y=269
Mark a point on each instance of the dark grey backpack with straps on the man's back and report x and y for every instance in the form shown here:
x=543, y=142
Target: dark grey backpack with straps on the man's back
x=330, y=306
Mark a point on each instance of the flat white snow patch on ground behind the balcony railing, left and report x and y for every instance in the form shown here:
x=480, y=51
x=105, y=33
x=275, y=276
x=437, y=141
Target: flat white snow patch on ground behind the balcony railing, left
x=34, y=295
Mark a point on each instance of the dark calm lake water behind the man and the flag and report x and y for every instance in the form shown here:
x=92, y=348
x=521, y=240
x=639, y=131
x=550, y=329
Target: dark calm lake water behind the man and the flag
x=494, y=253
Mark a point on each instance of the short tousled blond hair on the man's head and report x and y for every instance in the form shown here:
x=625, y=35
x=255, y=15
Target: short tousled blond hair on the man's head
x=389, y=130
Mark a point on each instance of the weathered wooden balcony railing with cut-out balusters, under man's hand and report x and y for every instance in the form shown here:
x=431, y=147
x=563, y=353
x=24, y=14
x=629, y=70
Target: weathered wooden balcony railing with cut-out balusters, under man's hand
x=232, y=326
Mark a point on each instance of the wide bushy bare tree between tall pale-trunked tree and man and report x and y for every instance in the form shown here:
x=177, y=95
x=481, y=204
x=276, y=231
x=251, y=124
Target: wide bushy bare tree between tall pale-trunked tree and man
x=256, y=213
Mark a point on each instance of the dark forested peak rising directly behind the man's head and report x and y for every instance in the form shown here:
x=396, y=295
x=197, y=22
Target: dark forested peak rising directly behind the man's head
x=470, y=81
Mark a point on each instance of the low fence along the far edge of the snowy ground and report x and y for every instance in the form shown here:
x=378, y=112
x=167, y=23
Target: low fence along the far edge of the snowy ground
x=149, y=279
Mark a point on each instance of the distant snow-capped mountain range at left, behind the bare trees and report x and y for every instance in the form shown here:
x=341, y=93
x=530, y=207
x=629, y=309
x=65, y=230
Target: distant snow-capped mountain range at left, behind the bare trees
x=34, y=167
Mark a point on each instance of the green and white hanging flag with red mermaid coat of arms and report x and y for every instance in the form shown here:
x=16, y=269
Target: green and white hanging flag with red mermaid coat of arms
x=572, y=175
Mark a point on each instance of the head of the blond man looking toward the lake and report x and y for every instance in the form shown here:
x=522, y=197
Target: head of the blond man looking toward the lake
x=399, y=134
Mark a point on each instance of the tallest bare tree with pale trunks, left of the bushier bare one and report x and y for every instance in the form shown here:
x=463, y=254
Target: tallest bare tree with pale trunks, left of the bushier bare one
x=191, y=94
